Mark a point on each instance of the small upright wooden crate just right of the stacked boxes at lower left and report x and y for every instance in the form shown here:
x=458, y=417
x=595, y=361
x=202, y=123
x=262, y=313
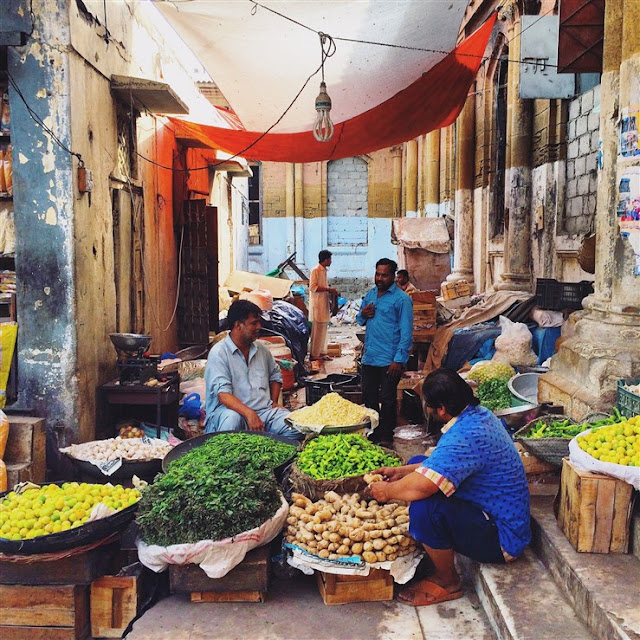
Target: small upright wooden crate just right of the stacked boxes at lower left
x=116, y=600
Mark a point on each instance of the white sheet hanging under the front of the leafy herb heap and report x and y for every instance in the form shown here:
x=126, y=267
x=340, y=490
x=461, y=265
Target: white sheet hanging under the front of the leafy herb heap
x=215, y=558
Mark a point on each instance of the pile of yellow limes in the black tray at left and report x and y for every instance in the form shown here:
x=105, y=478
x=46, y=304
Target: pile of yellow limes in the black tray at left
x=53, y=508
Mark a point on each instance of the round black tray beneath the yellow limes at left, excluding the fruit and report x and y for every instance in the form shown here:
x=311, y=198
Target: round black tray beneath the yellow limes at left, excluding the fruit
x=85, y=534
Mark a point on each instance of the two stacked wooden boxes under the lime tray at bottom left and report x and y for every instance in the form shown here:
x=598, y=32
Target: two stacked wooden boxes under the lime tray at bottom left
x=49, y=599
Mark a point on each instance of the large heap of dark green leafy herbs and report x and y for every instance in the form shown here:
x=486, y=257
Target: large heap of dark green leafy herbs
x=220, y=489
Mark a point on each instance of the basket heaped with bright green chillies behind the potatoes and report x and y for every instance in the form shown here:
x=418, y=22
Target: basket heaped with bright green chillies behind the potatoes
x=338, y=462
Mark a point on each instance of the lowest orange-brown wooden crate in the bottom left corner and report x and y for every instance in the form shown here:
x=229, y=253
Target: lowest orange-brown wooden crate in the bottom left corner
x=39, y=612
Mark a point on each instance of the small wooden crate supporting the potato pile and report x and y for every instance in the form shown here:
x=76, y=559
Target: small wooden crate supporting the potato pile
x=341, y=589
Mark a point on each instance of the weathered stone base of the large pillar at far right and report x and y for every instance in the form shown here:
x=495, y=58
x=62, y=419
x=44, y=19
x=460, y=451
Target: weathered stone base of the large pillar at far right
x=585, y=371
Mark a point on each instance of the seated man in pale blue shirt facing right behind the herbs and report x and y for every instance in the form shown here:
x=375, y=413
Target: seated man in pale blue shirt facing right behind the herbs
x=243, y=380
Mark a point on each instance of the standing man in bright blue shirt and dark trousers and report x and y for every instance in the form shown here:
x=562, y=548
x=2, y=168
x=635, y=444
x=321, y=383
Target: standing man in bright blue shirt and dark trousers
x=387, y=314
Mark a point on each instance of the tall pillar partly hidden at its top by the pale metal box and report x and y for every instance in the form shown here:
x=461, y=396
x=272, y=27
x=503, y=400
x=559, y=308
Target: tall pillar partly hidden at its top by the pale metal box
x=517, y=237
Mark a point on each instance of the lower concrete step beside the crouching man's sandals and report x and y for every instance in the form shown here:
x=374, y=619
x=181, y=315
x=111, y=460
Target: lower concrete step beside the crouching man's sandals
x=522, y=601
